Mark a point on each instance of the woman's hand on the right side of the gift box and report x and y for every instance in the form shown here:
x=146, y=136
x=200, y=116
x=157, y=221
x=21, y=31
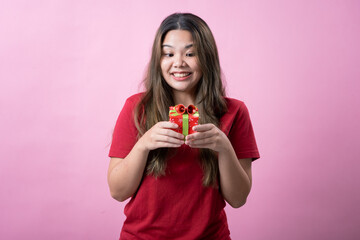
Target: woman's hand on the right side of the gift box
x=208, y=136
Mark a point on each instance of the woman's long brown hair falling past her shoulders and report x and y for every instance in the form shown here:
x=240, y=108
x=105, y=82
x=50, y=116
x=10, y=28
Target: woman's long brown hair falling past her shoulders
x=210, y=92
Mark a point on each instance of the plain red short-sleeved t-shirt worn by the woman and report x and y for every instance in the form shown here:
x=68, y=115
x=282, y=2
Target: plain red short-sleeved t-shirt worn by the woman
x=177, y=205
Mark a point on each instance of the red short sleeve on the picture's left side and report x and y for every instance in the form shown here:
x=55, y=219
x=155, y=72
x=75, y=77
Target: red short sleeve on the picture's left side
x=125, y=132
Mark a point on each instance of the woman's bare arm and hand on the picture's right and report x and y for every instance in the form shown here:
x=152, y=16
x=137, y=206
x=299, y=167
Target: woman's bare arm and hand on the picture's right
x=235, y=174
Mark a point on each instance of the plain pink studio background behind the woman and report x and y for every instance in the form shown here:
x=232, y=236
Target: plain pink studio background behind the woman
x=66, y=68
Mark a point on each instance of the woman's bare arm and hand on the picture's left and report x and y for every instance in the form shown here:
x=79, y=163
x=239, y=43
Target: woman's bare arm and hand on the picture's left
x=124, y=175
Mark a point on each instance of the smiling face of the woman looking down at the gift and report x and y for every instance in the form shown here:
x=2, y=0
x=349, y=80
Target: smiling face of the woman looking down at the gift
x=179, y=63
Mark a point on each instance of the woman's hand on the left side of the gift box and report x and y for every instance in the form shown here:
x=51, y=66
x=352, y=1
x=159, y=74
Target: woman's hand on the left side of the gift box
x=161, y=135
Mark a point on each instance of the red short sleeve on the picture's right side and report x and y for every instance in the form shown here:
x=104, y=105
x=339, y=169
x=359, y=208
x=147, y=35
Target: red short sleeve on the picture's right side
x=241, y=133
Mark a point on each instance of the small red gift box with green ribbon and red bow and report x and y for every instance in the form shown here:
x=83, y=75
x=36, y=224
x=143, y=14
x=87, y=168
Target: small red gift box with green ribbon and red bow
x=185, y=117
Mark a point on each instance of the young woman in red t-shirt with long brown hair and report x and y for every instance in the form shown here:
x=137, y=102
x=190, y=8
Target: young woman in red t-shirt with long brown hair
x=178, y=185
